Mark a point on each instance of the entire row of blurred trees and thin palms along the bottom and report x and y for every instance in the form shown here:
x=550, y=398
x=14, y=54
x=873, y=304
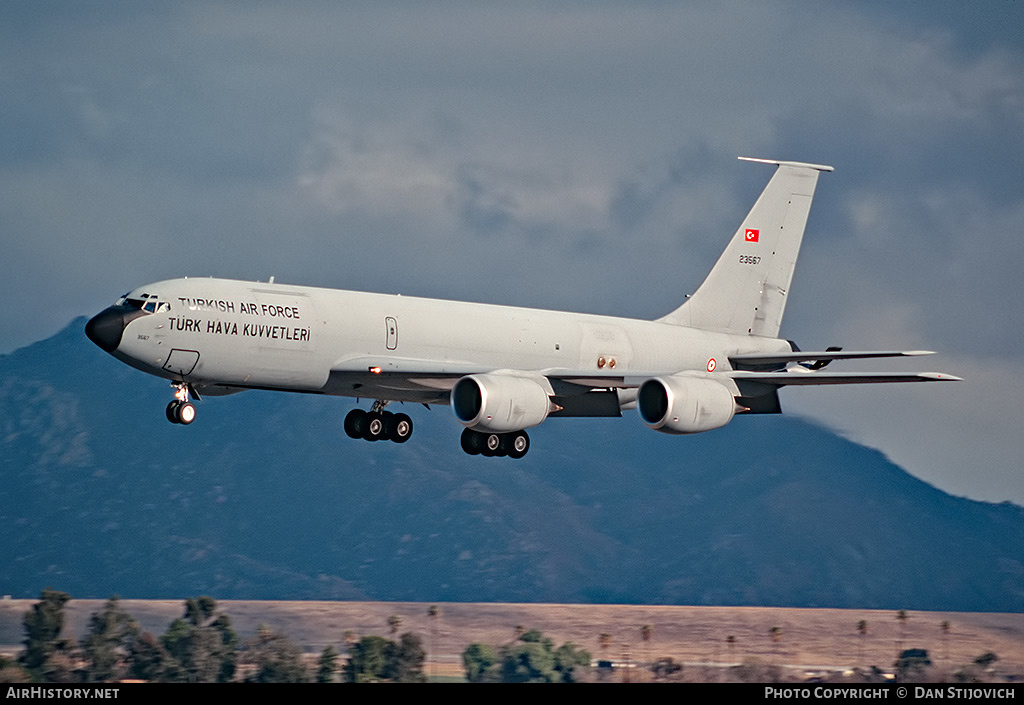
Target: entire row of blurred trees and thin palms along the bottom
x=202, y=646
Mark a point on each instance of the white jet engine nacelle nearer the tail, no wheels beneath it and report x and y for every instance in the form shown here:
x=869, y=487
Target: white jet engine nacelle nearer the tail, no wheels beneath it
x=685, y=405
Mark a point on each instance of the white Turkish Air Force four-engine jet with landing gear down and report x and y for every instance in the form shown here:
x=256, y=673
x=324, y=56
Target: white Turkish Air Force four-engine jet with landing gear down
x=502, y=369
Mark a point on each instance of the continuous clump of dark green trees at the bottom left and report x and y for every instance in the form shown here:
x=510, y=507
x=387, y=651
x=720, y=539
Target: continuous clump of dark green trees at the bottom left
x=199, y=647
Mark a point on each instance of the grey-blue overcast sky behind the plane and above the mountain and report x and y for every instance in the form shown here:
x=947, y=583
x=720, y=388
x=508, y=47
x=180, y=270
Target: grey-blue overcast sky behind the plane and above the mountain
x=575, y=156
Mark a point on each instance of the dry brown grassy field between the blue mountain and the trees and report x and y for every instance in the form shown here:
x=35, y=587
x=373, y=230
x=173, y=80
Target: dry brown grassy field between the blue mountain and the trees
x=812, y=640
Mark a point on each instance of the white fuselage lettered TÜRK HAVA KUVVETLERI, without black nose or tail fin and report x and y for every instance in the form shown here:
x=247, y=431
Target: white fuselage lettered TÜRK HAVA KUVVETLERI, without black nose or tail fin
x=257, y=336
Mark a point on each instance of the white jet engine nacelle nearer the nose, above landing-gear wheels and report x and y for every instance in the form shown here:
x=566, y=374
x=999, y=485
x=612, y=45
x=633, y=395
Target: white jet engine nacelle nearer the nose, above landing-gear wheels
x=500, y=403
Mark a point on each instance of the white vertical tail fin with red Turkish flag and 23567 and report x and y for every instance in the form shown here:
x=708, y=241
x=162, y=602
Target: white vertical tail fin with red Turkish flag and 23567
x=747, y=289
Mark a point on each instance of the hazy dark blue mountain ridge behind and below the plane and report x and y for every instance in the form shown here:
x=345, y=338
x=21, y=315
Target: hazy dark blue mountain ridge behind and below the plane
x=265, y=497
